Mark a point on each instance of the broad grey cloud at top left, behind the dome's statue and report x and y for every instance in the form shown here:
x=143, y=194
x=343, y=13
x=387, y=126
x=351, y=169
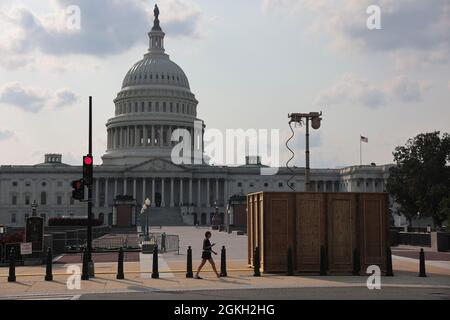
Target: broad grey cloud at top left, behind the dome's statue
x=107, y=27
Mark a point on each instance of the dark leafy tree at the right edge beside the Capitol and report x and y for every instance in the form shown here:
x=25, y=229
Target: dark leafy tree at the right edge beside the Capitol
x=420, y=181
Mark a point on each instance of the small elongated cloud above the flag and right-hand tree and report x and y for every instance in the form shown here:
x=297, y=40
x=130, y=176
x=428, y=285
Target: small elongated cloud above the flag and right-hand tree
x=357, y=90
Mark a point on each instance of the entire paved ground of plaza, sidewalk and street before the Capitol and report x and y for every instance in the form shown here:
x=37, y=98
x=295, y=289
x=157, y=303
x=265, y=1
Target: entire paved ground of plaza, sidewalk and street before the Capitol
x=239, y=285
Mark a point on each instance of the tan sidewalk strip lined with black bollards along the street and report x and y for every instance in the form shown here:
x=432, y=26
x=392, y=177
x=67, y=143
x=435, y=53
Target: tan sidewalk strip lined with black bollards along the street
x=173, y=279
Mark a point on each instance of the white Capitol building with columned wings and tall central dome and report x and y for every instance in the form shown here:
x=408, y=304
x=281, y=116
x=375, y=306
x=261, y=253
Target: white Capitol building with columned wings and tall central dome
x=155, y=100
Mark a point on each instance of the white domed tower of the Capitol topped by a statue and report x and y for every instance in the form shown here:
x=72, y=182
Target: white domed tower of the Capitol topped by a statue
x=154, y=101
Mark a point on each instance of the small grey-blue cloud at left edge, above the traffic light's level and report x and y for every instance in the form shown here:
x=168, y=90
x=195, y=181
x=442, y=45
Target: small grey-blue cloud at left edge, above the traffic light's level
x=34, y=99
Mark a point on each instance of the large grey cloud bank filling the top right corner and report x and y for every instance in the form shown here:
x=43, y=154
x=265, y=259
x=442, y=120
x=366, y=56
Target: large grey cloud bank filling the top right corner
x=408, y=26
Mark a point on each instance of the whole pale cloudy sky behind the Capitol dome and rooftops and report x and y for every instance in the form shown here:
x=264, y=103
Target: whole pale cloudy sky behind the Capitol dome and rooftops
x=249, y=63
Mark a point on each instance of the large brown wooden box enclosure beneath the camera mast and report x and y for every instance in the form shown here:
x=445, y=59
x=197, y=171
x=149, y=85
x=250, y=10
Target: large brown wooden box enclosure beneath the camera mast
x=305, y=222
